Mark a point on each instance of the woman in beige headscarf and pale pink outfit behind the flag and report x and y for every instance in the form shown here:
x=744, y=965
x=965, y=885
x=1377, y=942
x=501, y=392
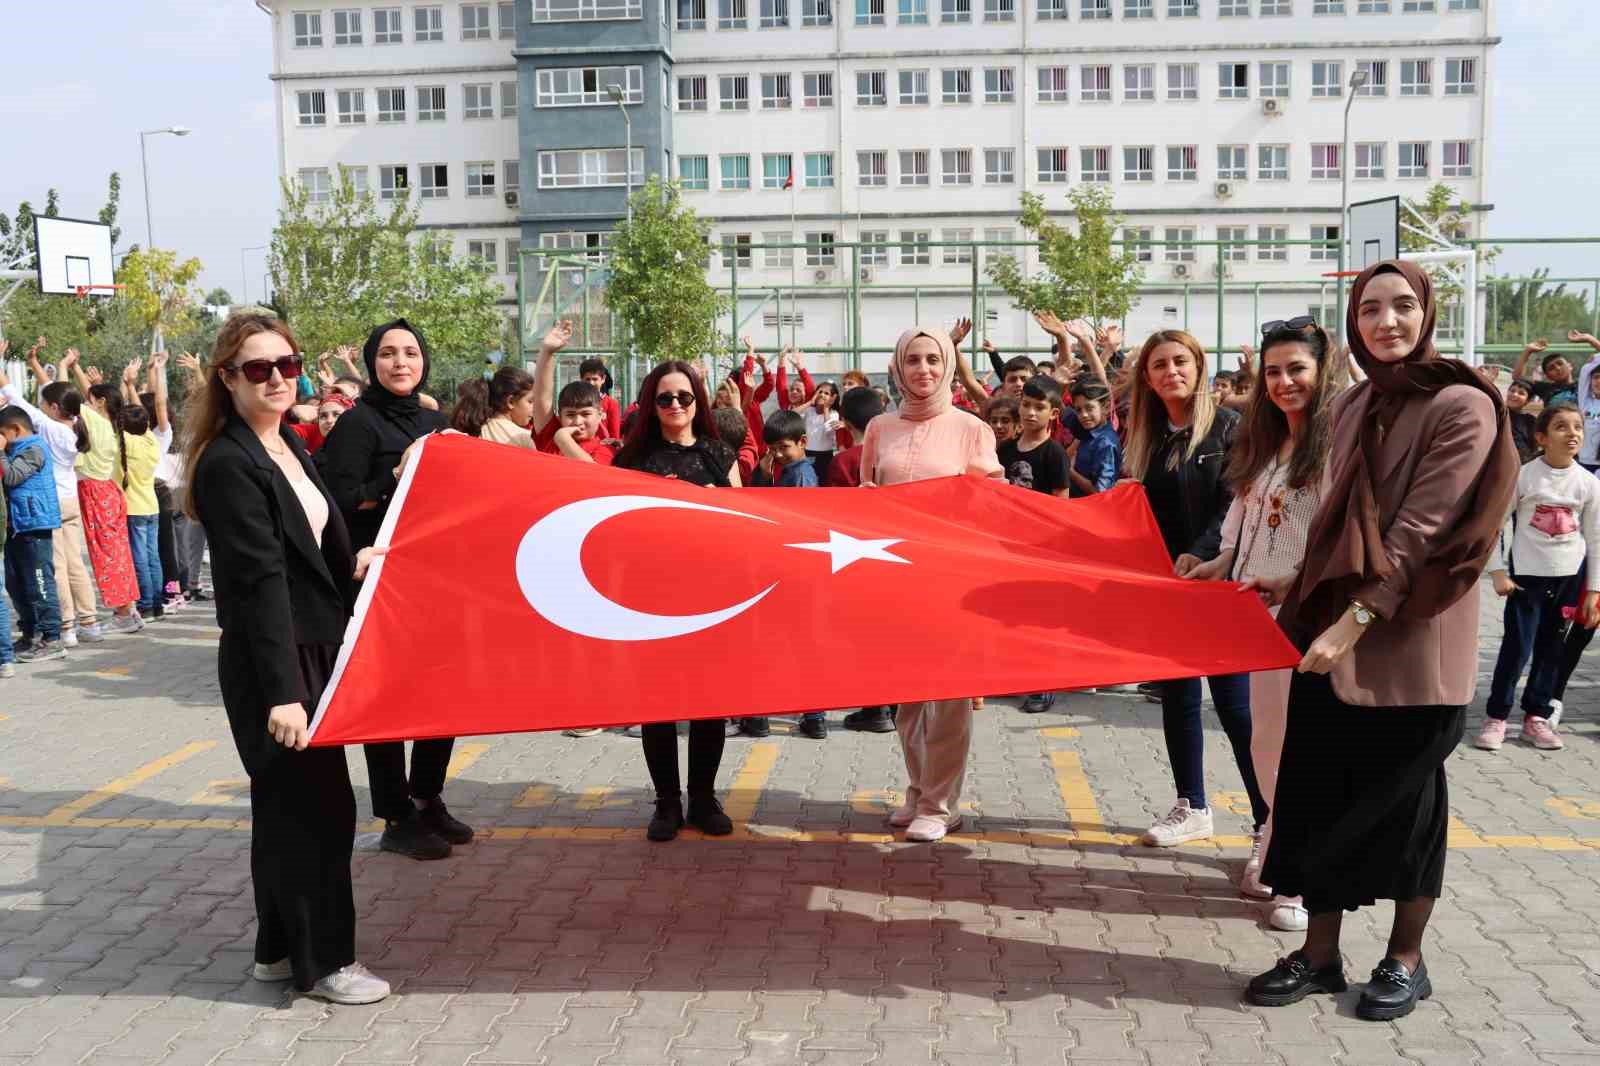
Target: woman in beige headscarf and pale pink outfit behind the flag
x=929, y=438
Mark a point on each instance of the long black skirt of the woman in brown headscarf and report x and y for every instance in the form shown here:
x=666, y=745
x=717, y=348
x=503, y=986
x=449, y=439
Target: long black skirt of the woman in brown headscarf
x=1362, y=809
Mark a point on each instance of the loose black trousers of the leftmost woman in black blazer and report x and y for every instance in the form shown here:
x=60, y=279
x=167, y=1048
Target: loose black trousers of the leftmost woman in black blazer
x=303, y=833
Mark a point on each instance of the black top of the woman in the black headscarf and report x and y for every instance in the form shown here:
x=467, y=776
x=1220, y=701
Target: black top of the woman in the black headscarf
x=361, y=457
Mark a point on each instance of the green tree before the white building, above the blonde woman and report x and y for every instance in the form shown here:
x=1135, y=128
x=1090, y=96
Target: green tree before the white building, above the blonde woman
x=1084, y=276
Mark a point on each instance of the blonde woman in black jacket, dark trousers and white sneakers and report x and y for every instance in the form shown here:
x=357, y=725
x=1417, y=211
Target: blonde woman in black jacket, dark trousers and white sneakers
x=1178, y=444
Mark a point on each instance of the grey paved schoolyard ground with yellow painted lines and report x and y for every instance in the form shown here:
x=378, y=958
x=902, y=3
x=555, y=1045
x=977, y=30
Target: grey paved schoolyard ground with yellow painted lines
x=1038, y=936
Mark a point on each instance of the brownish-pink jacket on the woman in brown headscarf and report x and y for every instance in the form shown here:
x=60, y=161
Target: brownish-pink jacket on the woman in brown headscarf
x=1426, y=470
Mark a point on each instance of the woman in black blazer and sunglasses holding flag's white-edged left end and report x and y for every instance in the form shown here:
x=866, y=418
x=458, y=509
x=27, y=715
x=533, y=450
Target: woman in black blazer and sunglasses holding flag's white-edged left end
x=282, y=567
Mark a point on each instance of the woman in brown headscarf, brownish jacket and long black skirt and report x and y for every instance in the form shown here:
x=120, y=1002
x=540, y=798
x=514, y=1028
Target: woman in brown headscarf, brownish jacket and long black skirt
x=1386, y=611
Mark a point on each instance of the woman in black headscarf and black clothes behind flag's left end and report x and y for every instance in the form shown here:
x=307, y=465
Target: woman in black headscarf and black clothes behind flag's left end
x=359, y=462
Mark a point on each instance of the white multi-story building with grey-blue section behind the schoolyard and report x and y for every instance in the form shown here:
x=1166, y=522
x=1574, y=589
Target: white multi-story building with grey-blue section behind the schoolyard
x=905, y=122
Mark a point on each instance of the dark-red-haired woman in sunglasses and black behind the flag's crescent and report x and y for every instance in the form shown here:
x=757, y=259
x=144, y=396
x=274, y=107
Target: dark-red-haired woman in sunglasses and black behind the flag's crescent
x=674, y=438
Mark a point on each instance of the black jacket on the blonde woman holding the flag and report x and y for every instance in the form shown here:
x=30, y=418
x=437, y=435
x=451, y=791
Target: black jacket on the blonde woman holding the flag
x=1191, y=502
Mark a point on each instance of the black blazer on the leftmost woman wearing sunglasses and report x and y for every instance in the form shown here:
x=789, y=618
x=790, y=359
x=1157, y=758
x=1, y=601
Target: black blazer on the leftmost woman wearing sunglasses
x=276, y=591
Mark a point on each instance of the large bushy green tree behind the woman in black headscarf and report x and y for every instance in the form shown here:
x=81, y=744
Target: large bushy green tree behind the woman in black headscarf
x=343, y=266
